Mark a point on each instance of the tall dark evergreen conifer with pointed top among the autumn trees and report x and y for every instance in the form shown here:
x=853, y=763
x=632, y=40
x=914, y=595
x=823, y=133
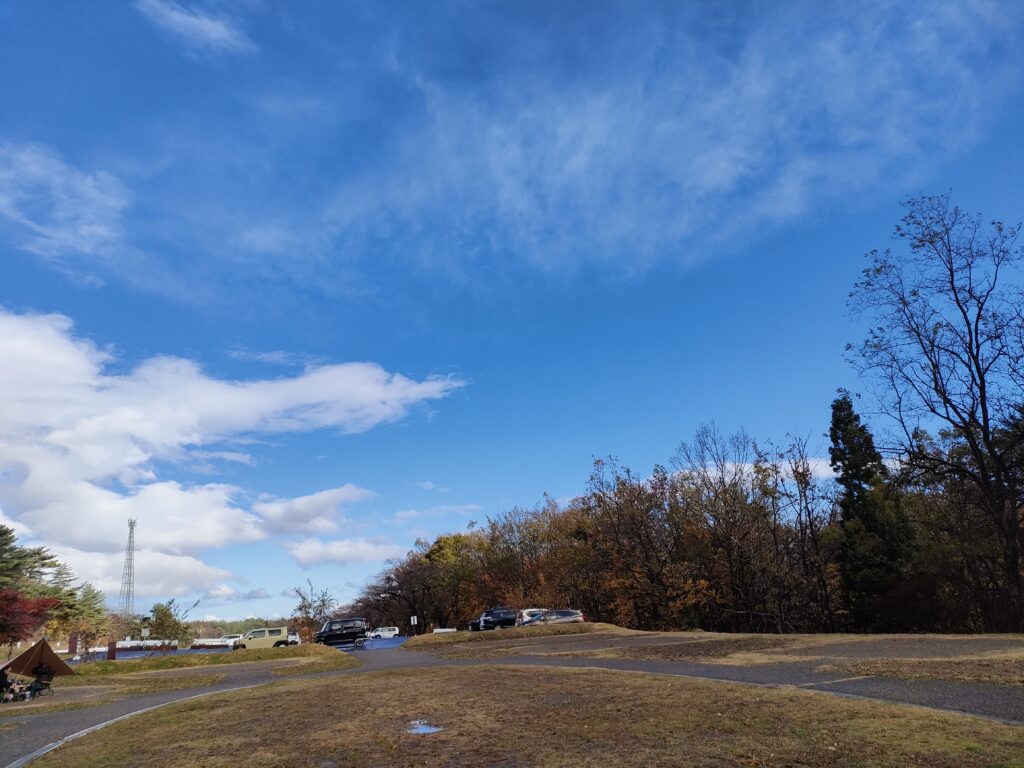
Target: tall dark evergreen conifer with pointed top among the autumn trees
x=878, y=539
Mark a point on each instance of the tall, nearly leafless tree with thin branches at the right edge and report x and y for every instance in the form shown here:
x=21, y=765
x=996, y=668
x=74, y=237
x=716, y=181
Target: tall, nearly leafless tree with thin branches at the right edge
x=948, y=348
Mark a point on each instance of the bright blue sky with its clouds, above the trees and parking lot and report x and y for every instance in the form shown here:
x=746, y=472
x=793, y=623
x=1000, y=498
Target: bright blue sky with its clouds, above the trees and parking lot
x=295, y=285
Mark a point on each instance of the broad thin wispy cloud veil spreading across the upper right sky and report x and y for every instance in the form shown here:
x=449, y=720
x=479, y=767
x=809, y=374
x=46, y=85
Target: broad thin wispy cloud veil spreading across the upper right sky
x=679, y=143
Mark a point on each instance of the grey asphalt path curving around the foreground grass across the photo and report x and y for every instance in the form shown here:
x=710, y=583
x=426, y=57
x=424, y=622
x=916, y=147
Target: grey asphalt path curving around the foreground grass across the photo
x=31, y=733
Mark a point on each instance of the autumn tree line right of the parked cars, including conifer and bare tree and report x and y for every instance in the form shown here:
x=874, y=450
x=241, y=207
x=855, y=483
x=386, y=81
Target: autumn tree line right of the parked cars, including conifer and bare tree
x=917, y=529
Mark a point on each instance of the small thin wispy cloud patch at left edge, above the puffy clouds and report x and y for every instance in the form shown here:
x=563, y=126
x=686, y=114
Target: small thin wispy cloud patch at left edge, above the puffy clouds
x=59, y=212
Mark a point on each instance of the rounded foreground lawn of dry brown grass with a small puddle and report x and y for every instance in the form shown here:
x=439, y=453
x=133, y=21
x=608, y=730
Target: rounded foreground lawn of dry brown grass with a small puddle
x=523, y=716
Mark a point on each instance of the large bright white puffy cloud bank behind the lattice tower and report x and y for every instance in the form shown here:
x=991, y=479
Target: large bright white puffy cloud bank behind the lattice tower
x=81, y=448
